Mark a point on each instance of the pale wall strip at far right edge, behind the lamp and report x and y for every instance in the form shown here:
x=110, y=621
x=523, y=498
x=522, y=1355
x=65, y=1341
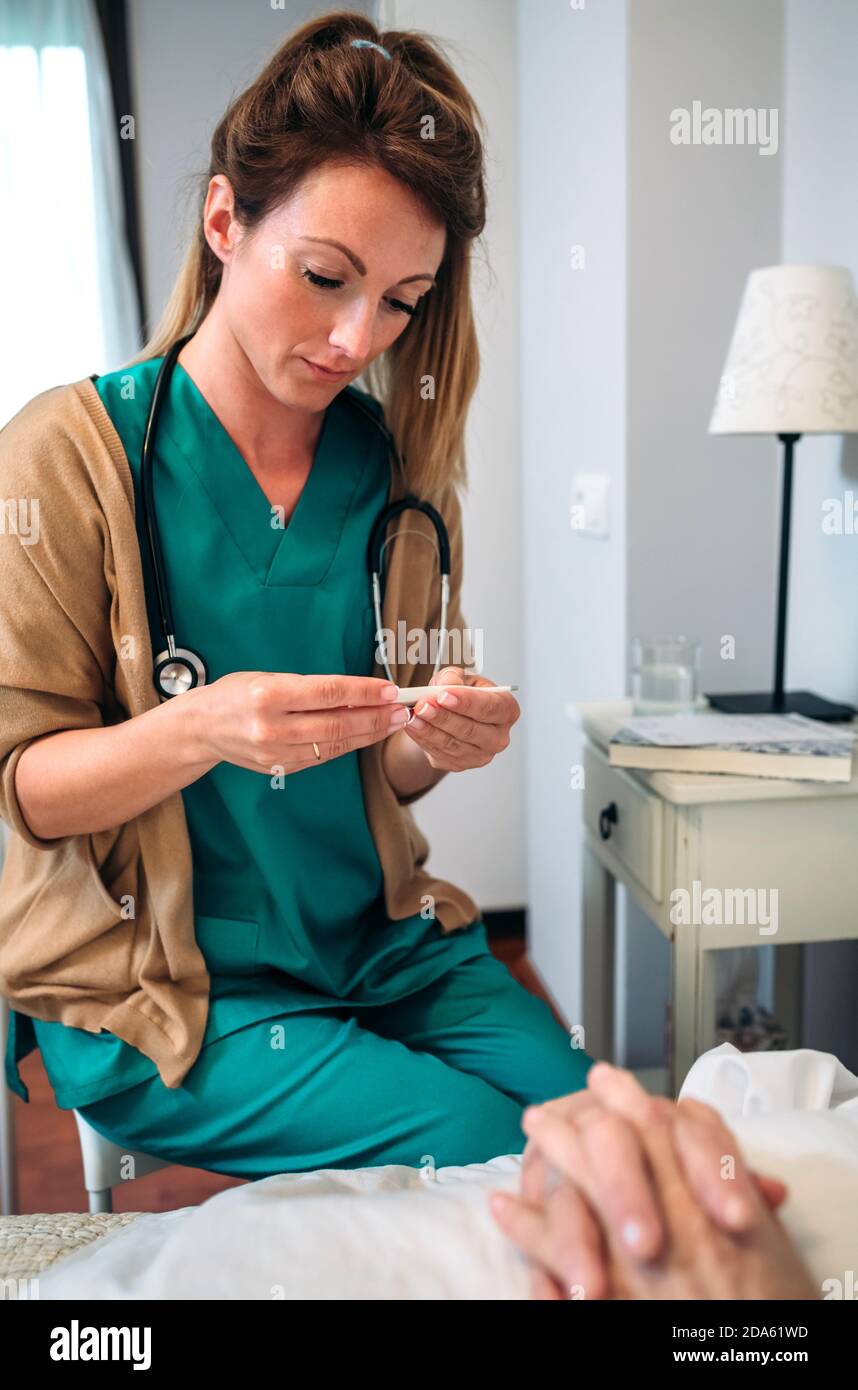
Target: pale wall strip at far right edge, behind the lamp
x=821, y=226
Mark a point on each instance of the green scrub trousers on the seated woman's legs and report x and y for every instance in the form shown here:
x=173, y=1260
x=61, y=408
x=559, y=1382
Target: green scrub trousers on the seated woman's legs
x=437, y=1078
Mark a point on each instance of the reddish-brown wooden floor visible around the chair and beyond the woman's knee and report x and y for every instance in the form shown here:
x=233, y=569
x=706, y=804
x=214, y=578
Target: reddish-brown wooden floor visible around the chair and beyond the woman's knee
x=49, y=1156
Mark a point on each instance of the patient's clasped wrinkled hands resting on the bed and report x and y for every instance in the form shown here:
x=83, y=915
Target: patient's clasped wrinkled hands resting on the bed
x=629, y=1196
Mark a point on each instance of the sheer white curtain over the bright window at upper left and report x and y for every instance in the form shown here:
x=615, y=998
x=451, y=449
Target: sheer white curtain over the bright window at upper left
x=67, y=295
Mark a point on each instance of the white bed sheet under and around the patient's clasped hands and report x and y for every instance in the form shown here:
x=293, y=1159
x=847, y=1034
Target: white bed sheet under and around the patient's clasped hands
x=396, y=1234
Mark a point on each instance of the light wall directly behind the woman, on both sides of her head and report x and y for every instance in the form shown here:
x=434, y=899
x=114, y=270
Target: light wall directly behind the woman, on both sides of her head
x=188, y=60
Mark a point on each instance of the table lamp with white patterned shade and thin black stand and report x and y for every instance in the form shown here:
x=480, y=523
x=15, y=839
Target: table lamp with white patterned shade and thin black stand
x=792, y=369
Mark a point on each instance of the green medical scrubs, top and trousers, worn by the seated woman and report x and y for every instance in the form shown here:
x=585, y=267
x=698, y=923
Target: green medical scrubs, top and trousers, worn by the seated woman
x=334, y=1038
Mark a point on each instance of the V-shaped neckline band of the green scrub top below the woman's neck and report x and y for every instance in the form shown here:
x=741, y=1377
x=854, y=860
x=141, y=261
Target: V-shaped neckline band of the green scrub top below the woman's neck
x=302, y=553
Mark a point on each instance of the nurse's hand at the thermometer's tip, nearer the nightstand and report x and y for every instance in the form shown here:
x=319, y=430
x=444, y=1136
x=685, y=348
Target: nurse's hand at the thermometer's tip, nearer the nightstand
x=458, y=730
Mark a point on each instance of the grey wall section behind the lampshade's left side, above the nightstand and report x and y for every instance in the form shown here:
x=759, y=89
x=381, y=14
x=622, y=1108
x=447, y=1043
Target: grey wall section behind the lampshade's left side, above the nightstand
x=703, y=511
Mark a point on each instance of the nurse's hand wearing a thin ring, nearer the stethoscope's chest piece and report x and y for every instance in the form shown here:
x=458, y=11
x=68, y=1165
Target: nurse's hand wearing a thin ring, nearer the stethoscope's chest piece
x=266, y=721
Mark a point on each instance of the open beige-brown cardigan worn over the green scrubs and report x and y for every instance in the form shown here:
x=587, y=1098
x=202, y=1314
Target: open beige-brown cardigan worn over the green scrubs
x=67, y=950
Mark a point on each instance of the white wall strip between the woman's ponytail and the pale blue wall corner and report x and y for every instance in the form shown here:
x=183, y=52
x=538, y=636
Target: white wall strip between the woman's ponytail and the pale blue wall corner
x=475, y=821
